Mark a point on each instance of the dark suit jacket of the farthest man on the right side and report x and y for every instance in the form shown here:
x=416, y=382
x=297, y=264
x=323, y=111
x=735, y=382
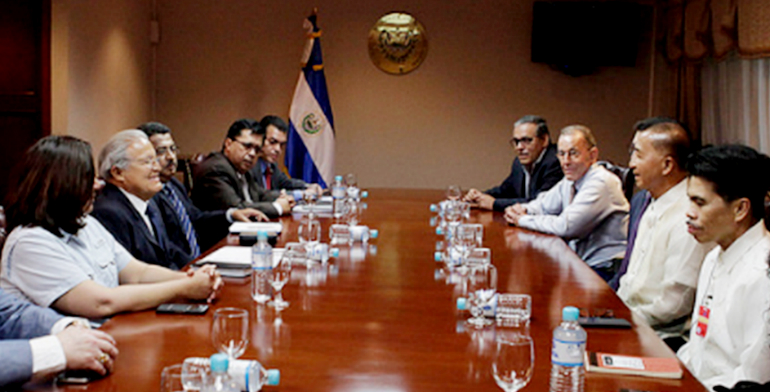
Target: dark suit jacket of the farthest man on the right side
x=546, y=174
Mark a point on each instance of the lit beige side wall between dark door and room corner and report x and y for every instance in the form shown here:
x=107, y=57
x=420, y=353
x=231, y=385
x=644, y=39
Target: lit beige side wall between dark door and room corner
x=101, y=67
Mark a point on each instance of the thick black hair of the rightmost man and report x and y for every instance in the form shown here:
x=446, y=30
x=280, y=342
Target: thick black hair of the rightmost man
x=732, y=169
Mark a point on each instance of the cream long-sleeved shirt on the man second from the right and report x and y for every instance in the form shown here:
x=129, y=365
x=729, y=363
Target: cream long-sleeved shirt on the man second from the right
x=662, y=274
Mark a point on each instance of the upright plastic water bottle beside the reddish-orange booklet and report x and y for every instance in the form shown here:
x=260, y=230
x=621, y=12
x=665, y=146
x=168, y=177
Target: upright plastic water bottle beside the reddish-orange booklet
x=567, y=353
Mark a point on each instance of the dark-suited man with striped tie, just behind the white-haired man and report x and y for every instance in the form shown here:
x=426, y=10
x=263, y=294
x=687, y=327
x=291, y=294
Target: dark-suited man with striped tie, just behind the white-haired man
x=187, y=226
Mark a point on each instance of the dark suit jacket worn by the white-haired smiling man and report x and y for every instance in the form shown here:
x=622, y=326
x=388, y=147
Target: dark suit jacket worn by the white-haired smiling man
x=116, y=213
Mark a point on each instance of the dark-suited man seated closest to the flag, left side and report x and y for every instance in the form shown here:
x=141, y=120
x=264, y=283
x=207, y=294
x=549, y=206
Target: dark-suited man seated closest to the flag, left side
x=266, y=172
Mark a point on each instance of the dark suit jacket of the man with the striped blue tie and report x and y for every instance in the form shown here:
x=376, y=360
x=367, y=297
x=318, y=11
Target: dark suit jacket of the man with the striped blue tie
x=210, y=226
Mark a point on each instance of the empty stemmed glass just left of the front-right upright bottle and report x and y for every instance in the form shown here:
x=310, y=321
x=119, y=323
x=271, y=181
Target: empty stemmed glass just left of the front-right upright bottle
x=514, y=362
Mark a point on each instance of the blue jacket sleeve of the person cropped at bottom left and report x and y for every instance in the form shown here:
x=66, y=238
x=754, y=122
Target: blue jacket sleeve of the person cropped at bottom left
x=19, y=322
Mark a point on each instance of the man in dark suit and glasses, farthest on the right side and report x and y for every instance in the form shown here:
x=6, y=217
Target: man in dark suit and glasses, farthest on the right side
x=535, y=169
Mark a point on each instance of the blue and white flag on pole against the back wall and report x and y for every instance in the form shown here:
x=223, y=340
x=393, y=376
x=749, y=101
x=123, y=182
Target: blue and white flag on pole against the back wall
x=310, y=148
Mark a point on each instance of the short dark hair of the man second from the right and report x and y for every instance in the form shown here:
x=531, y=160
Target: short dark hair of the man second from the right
x=677, y=142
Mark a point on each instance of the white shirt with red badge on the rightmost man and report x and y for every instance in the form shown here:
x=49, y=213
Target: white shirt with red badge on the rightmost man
x=735, y=286
